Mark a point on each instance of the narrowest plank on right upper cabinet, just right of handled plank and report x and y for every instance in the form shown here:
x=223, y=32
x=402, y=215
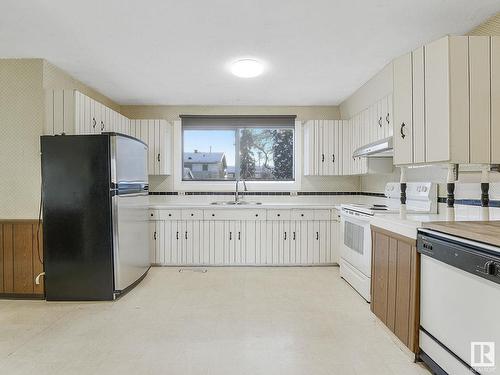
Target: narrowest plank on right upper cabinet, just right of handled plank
x=418, y=106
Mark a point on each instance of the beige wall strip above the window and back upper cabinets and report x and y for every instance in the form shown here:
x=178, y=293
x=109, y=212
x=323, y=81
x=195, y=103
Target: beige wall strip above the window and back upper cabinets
x=173, y=112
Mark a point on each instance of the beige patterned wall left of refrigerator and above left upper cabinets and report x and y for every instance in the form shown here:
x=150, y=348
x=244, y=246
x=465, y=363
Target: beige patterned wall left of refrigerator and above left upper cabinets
x=22, y=114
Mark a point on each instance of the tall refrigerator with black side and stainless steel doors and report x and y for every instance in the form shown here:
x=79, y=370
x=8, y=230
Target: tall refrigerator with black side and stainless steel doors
x=95, y=223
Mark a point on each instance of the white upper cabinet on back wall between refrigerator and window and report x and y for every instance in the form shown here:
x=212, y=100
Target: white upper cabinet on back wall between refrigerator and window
x=157, y=135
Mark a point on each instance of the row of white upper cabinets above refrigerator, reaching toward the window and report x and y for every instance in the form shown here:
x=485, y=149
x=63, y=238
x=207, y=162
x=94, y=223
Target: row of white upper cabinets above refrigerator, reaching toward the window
x=71, y=112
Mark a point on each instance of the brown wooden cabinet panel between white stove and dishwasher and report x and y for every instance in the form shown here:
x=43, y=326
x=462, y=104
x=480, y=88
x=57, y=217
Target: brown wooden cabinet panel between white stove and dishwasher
x=395, y=284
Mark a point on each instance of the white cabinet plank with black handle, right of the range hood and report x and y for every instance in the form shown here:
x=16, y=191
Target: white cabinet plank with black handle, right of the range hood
x=403, y=136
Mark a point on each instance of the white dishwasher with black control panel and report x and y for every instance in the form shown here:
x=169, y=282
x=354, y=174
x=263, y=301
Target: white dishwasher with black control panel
x=459, y=304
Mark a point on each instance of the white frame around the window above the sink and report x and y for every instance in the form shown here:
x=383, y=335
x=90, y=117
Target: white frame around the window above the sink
x=229, y=185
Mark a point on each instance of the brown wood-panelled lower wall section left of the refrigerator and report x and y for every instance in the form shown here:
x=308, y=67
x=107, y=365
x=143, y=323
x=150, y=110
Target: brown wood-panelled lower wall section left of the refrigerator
x=20, y=255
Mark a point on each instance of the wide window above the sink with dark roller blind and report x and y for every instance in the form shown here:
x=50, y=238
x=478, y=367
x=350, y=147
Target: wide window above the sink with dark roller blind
x=230, y=148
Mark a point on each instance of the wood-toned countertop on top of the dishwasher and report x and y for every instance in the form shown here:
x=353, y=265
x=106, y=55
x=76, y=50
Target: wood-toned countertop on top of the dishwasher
x=481, y=231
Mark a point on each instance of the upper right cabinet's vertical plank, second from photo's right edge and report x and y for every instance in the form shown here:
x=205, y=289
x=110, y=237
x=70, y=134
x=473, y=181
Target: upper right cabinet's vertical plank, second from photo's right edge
x=479, y=83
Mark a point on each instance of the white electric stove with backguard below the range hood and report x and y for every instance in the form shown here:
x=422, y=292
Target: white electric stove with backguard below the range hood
x=355, y=250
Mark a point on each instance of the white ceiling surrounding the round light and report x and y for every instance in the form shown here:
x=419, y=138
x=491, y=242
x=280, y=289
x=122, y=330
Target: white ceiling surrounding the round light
x=170, y=52
